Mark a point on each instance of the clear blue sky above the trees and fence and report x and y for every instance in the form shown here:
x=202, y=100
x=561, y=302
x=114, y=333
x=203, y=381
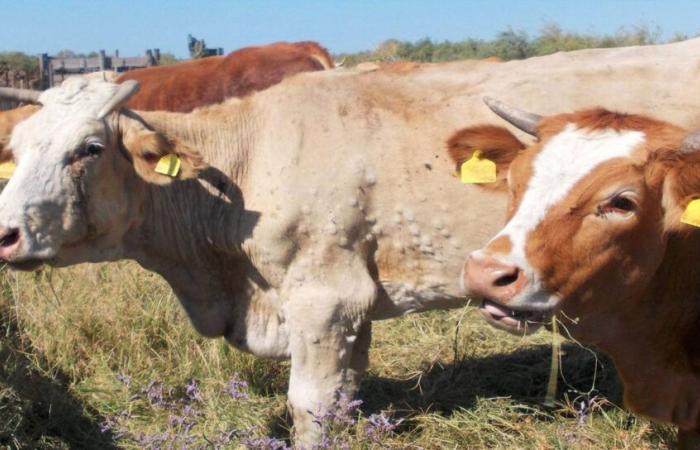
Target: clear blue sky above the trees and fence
x=35, y=26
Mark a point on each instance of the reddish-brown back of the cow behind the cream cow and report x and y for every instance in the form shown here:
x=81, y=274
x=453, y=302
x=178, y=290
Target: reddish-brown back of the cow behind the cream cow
x=189, y=85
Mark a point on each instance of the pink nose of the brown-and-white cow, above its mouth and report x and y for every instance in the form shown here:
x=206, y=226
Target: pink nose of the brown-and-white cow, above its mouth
x=488, y=277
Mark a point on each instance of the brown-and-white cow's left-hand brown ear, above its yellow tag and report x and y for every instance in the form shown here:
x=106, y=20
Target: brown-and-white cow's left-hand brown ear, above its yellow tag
x=494, y=143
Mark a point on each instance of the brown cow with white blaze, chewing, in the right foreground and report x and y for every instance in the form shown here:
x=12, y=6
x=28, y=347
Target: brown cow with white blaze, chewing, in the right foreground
x=594, y=236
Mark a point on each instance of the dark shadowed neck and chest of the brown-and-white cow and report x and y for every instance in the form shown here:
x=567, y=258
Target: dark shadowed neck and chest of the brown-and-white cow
x=656, y=348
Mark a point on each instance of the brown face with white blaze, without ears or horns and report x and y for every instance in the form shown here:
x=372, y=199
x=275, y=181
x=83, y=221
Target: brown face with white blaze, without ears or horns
x=585, y=232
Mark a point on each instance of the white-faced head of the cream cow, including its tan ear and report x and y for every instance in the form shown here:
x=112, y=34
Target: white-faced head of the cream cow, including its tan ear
x=82, y=166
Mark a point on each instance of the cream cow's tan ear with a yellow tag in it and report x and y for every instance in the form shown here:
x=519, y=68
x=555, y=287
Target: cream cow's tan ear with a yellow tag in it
x=159, y=159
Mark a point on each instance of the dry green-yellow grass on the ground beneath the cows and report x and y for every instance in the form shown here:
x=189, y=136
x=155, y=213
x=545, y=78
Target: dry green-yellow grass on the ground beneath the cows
x=66, y=335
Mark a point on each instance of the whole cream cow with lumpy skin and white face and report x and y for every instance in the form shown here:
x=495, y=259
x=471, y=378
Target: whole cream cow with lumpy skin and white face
x=327, y=201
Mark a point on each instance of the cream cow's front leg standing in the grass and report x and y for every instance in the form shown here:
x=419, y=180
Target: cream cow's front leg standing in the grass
x=329, y=343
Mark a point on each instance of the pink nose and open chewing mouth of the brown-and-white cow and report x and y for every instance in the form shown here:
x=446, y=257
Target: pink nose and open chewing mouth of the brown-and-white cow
x=498, y=284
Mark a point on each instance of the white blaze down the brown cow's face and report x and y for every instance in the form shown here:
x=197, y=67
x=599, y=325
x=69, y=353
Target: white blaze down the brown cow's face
x=564, y=161
